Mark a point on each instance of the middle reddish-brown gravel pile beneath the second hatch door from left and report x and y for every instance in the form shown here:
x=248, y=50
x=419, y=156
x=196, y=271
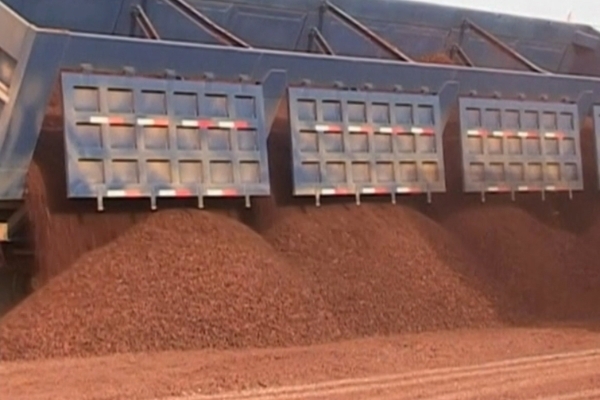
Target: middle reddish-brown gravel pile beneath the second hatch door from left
x=382, y=268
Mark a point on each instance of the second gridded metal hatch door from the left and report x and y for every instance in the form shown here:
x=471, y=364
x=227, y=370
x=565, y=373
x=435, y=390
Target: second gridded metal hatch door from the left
x=348, y=142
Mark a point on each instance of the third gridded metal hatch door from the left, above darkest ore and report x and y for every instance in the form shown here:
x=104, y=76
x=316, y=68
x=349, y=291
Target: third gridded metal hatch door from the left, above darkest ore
x=520, y=146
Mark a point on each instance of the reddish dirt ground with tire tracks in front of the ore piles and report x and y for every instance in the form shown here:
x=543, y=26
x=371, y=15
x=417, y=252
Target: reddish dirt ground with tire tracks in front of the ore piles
x=495, y=363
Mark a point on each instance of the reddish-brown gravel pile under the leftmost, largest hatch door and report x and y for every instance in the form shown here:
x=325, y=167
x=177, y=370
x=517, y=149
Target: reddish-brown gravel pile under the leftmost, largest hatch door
x=179, y=280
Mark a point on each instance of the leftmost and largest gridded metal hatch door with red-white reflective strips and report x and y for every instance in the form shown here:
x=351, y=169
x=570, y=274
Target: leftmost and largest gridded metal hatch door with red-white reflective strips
x=135, y=136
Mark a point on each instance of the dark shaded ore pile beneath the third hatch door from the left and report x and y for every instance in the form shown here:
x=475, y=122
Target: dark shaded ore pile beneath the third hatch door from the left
x=527, y=261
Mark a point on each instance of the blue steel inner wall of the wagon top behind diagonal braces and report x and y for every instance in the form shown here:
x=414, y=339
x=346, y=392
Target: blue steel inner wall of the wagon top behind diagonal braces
x=416, y=28
